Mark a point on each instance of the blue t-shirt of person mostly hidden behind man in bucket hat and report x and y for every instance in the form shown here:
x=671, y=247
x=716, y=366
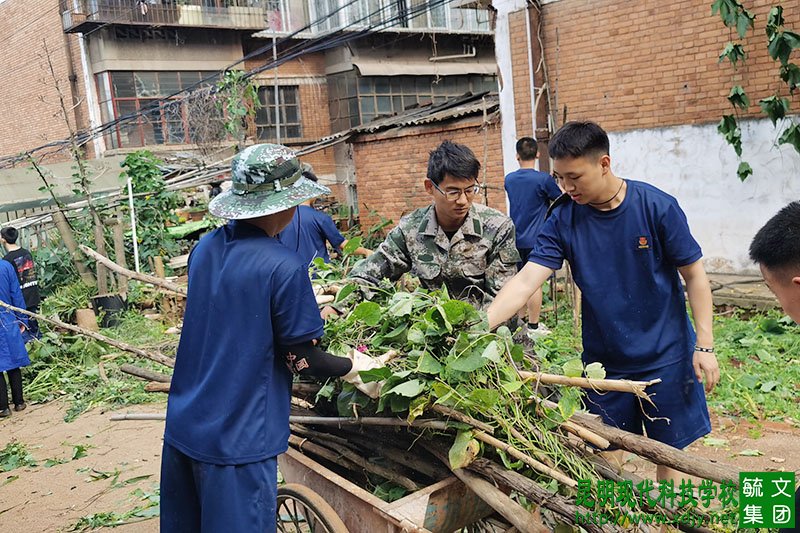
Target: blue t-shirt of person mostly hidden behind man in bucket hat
x=307, y=232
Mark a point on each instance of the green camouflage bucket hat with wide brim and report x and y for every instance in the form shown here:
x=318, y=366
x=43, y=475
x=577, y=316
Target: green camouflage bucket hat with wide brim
x=267, y=179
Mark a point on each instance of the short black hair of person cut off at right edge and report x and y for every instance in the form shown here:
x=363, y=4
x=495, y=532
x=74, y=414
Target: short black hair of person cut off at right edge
x=776, y=246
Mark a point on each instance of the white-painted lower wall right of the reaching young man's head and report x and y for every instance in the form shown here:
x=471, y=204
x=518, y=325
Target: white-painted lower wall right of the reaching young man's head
x=694, y=164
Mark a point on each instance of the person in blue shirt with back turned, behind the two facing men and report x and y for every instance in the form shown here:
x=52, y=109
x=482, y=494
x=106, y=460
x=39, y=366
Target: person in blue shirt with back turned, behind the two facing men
x=530, y=193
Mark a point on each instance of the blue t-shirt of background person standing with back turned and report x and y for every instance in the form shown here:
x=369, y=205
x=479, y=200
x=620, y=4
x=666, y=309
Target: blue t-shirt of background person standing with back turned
x=529, y=195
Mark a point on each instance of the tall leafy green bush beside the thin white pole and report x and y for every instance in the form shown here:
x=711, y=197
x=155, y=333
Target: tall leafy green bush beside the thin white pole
x=154, y=205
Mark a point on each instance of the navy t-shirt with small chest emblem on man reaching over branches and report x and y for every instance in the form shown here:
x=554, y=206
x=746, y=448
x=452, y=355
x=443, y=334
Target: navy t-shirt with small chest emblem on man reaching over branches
x=625, y=263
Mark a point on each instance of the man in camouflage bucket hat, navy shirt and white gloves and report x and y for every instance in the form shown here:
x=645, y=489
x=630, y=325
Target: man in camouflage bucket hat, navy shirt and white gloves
x=251, y=320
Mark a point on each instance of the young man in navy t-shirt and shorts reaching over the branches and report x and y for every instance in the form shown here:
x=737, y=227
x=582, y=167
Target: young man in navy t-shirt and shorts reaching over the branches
x=627, y=242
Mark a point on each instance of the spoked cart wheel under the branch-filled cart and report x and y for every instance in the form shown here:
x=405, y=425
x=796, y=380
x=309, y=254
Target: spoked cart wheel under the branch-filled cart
x=301, y=510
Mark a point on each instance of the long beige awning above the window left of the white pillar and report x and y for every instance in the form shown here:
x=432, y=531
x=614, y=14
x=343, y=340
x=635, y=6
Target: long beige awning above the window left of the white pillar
x=377, y=66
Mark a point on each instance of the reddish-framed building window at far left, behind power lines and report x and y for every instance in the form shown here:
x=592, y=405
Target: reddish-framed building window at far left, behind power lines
x=163, y=118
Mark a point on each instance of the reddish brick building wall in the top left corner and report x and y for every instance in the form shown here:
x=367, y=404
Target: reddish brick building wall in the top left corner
x=28, y=98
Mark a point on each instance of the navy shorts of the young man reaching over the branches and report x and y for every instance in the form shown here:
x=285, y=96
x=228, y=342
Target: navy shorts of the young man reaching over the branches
x=680, y=414
